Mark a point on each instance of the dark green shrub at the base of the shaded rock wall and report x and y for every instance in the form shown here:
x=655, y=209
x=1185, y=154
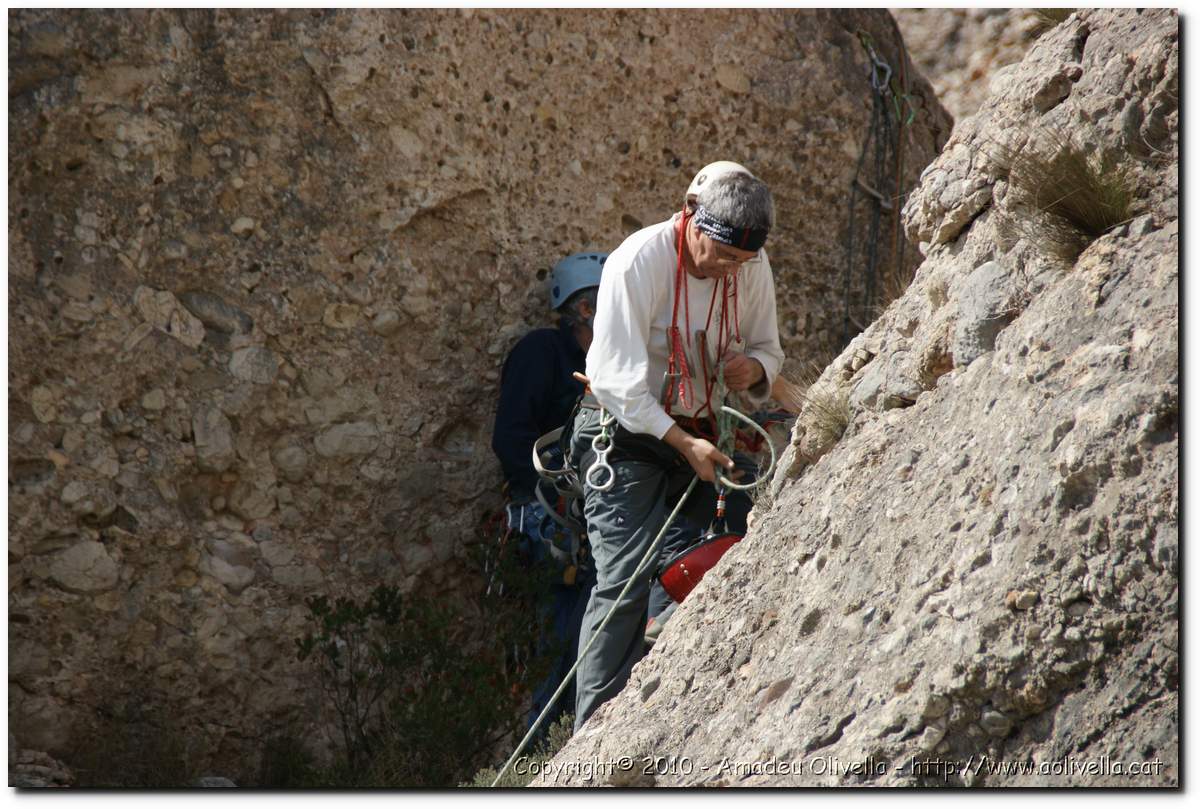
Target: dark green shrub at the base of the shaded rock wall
x=427, y=692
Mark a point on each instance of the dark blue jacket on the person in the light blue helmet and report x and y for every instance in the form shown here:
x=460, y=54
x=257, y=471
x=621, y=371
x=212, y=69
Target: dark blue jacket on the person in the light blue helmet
x=537, y=395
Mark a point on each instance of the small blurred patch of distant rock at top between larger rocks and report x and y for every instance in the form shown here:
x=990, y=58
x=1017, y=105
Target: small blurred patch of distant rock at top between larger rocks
x=958, y=50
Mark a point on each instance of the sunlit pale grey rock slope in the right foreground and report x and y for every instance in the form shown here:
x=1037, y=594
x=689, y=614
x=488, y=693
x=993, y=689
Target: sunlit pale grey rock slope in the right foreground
x=979, y=584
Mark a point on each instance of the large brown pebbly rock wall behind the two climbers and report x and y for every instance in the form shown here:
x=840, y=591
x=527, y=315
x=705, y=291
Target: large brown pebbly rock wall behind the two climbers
x=265, y=268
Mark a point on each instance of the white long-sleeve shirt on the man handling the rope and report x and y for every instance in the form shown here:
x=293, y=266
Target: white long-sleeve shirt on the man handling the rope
x=631, y=351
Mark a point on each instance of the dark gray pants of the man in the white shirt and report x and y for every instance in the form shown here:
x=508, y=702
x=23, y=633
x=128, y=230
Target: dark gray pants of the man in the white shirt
x=622, y=525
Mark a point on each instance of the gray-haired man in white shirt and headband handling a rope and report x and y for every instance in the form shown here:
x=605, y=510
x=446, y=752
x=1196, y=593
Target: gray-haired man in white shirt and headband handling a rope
x=677, y=301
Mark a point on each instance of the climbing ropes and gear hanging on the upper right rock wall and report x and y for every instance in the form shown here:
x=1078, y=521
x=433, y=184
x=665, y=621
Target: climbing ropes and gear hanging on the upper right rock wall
x=889, y=100
